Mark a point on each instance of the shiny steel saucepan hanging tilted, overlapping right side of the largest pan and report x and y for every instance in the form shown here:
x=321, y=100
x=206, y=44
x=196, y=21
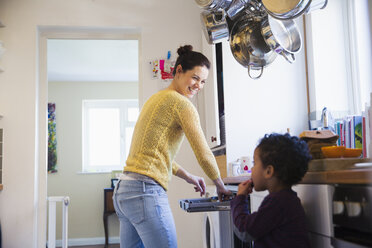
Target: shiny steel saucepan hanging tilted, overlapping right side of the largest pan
x=282, y=36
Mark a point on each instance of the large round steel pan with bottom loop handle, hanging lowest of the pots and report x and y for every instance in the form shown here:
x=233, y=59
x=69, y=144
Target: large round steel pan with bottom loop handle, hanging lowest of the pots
x=249, y=47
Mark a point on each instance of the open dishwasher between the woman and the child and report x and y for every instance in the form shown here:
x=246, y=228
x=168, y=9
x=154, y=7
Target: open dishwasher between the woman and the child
x=218, y=231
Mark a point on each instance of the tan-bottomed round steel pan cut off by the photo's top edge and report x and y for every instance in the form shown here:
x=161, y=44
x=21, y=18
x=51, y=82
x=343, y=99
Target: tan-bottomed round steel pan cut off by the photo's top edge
x=285, y=10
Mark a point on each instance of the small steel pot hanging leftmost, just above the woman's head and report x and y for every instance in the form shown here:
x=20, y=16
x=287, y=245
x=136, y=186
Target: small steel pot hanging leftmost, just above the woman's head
x=214, y=25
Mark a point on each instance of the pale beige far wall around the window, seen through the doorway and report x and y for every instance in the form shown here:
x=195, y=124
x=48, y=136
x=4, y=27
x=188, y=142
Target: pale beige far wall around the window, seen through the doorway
x=85, y=190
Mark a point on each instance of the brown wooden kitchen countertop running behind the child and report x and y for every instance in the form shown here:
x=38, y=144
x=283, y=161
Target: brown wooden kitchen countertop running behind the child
x=328, y=171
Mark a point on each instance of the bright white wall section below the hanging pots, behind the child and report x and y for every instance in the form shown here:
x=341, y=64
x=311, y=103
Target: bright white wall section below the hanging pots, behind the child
x=273, y=103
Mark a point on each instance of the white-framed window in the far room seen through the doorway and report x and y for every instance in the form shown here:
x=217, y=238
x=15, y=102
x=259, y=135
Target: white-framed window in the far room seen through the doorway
x=107, y=133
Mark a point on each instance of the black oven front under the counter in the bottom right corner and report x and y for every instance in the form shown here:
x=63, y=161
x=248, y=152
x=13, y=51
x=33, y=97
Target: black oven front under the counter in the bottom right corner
x=352, y=216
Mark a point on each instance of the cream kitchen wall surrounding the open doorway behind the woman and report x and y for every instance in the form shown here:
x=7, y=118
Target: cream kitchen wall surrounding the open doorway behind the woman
x=164, y=26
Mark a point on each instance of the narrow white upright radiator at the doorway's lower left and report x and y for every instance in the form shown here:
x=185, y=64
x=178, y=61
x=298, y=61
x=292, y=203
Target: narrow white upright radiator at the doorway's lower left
x=52, y=220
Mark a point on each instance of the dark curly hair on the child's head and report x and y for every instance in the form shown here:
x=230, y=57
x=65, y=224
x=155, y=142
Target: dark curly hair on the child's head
x=287, y=154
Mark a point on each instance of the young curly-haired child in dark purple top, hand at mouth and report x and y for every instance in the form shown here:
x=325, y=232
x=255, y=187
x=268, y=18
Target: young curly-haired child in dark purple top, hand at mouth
x=280, y=161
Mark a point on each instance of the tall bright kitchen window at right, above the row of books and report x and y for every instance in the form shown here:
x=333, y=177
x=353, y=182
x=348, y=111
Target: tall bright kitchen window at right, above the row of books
x=338, y=55
